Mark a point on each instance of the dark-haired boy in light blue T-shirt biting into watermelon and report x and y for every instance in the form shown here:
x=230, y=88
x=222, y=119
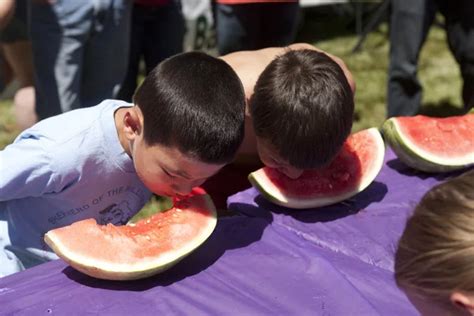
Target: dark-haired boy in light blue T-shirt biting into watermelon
x=105, y=161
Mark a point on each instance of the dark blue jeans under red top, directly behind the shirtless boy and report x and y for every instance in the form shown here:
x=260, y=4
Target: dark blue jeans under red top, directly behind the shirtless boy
x=255, y=25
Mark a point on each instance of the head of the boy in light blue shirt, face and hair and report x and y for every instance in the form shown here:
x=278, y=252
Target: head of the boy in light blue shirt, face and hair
x=189, y=122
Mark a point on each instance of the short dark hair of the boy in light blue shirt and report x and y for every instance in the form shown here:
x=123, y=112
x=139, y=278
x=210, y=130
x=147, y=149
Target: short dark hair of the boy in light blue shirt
x=194, y=102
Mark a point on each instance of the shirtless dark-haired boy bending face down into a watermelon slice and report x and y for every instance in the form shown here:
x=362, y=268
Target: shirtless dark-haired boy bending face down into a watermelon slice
x=299, y=112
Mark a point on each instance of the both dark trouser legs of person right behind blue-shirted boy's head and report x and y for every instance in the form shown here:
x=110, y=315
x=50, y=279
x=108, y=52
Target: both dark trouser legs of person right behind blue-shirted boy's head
x=156, y=33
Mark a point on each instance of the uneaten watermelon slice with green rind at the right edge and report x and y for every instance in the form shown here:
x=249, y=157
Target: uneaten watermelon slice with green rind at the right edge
x=432, y=144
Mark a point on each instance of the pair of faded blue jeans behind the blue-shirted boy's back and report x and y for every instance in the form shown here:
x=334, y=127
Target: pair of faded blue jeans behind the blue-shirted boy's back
x=80, y=52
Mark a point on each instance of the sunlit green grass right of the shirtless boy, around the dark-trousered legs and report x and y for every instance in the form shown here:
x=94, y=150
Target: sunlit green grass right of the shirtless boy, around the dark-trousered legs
x=438, y=72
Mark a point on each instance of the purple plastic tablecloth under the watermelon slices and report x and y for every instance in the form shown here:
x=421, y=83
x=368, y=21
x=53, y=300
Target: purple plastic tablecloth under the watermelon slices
x=335, y=260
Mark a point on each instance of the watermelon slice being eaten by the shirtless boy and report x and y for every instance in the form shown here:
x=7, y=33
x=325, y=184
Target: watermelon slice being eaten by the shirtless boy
x=353, y=169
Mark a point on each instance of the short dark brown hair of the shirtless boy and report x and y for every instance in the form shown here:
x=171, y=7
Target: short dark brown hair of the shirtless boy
x=303, y=105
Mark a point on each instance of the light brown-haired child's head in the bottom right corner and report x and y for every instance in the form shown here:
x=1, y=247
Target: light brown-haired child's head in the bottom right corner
x=434, y=263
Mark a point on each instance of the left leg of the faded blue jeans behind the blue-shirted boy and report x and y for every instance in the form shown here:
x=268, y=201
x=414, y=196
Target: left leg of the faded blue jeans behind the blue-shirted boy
x=58, y=32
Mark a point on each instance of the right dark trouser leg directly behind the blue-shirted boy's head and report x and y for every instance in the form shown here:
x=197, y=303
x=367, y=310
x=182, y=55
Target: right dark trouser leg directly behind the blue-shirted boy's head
x=164, y=33
